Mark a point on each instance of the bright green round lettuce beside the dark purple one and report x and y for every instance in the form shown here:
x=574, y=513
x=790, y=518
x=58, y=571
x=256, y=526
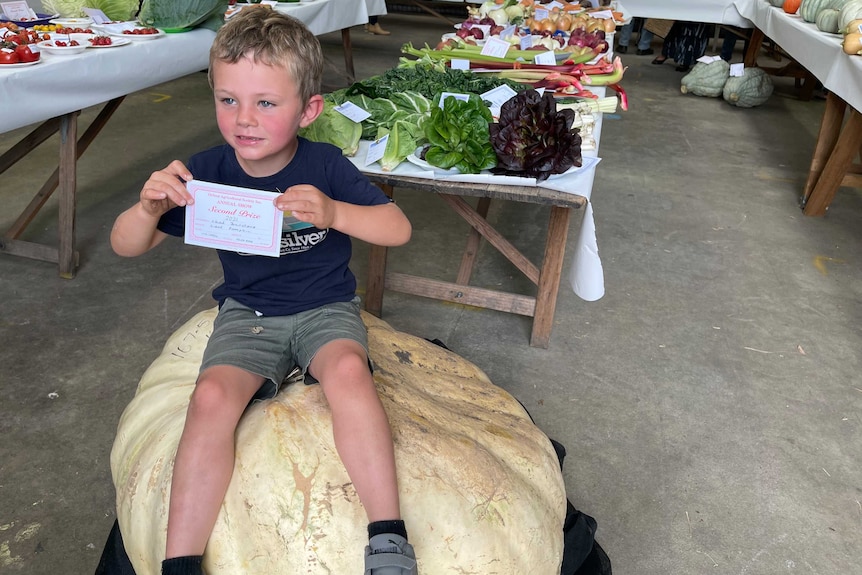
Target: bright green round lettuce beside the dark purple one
x=458, y=134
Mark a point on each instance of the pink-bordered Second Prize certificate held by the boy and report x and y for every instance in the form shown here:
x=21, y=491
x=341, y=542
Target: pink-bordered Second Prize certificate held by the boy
x=233, y=219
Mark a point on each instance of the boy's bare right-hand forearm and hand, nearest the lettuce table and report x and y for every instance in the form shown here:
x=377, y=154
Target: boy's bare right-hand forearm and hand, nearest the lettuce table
x=382, y=225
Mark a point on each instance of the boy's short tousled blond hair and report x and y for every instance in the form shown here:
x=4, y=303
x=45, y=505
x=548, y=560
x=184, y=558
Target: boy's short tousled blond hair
x=275, y=39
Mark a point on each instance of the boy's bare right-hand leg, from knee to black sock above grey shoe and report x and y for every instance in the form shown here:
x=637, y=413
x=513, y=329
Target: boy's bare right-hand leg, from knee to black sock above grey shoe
x=360, y=426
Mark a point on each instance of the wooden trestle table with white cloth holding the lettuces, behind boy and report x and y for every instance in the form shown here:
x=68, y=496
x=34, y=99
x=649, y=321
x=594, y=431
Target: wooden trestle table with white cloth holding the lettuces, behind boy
x=563, y=195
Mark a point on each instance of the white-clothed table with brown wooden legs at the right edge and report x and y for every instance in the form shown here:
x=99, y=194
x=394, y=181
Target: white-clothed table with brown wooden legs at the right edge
x=838, y=141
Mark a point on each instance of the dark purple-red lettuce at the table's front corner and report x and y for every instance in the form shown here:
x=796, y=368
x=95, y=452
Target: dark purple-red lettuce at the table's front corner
x=533, y=138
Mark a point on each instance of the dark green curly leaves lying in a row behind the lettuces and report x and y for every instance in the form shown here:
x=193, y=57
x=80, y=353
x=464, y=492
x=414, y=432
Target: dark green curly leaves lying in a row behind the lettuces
x=428, y=80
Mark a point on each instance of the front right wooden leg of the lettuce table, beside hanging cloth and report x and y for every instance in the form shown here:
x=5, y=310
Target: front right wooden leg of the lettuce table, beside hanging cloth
x=549, y=277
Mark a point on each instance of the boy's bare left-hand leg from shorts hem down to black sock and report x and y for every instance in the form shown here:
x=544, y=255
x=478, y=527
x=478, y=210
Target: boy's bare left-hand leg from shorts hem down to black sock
x=205, y=457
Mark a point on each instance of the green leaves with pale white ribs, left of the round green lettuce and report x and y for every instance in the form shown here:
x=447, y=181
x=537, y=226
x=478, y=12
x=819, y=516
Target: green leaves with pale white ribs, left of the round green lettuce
x=402, y=115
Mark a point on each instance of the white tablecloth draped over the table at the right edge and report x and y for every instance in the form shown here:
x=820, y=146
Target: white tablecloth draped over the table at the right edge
x=818, y=52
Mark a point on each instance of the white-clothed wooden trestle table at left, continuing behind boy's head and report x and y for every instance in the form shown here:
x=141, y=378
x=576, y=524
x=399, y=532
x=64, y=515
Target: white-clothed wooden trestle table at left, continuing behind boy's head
x=105, y=77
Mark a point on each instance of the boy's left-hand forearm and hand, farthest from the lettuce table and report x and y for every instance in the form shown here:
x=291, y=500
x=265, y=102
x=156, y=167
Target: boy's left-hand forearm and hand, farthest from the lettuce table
x=135, y=231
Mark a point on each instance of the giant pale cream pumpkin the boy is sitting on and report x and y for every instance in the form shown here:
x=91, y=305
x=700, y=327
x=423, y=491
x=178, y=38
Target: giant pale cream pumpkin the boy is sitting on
x=481, y=486
